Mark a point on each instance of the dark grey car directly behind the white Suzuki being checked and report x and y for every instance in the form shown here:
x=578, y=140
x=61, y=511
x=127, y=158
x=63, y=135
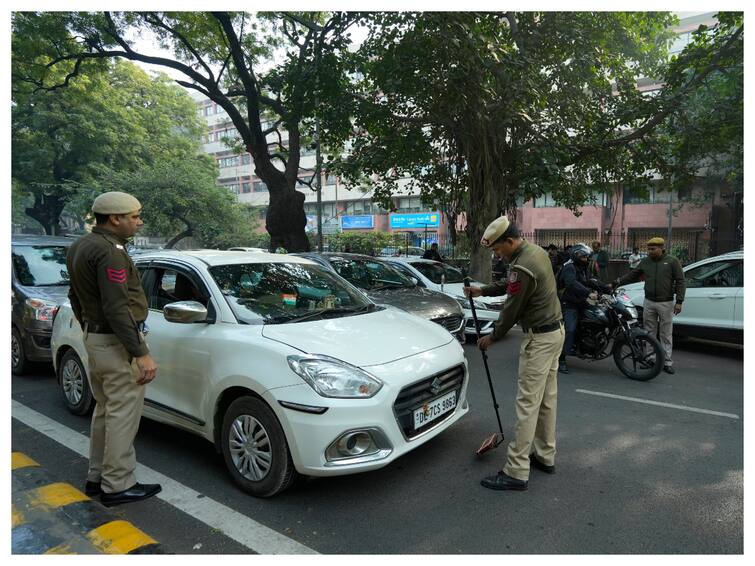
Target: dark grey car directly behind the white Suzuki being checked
x=384, y=285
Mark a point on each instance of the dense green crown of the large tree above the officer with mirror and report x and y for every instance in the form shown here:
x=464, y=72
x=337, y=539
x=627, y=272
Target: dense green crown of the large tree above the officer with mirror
x=485, y=110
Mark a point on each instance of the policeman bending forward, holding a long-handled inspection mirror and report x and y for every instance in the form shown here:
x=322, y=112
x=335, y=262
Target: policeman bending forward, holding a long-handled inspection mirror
x=533, y=302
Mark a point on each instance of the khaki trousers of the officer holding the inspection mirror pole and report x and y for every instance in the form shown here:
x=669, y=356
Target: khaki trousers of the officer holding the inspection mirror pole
x=535, y=403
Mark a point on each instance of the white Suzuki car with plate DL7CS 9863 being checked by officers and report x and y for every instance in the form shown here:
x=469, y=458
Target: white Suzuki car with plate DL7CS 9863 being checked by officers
x=282, y=364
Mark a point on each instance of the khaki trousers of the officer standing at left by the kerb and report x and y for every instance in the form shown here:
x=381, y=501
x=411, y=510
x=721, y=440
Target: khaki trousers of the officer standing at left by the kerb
x=112, y=378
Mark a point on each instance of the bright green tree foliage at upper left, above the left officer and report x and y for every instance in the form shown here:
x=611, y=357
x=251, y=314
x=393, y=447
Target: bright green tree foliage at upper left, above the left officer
x=114, y=119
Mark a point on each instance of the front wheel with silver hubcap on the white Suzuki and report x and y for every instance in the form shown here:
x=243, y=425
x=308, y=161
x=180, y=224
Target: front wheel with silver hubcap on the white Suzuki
x=255, y=449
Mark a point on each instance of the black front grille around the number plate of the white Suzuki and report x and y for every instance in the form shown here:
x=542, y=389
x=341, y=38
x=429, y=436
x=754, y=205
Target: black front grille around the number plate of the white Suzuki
x=417, y=394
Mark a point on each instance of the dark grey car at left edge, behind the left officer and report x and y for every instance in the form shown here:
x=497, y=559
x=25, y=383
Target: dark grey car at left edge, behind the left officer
x=39, y=281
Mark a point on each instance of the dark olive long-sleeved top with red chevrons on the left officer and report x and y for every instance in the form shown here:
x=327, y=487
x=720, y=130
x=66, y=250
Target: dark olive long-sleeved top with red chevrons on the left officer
x=105, y=287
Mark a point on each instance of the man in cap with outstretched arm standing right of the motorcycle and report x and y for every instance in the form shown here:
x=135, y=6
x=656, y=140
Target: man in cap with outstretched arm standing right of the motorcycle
x=664, y=293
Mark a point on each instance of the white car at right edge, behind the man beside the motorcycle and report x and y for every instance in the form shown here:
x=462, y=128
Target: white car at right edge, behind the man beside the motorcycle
x=714, y=299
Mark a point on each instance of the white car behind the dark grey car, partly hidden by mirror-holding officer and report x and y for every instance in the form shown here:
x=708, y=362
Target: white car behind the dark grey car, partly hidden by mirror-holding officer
x=449, y=280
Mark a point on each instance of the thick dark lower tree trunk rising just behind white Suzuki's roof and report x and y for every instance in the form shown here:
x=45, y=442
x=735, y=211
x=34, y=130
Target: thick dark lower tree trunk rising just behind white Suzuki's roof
x=286, y=220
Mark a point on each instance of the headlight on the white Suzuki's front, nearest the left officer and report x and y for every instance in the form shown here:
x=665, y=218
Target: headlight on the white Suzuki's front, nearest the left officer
x=330, y=377
